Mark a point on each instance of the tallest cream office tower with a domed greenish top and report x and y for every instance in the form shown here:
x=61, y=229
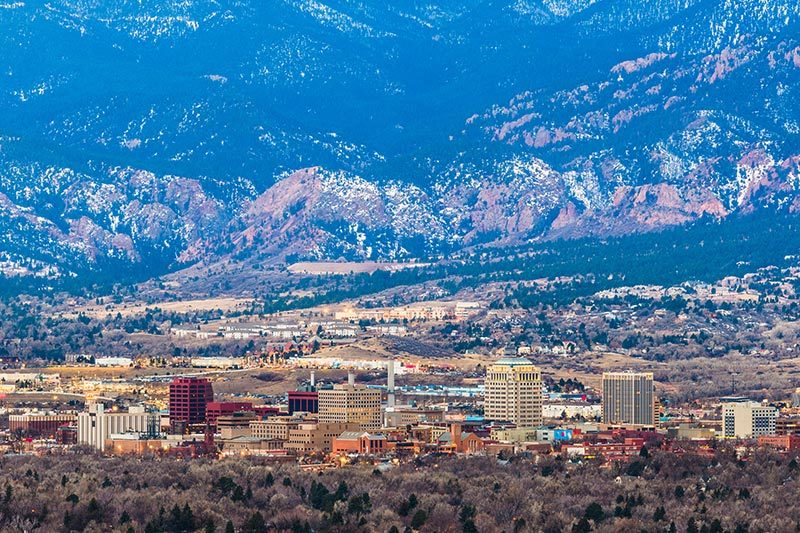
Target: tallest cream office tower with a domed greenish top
x=514, y=392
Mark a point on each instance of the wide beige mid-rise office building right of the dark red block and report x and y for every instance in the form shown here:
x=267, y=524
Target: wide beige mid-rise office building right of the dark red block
x=351, y=404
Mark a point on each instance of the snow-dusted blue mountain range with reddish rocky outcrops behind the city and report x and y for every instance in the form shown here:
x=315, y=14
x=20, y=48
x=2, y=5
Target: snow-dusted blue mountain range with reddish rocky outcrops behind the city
x=144, y=136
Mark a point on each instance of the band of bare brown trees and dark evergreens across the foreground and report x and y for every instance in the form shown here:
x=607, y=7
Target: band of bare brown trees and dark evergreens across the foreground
x=657, y=492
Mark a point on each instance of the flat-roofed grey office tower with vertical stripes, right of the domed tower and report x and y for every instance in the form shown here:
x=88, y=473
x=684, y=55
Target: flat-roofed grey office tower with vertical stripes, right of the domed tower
x=628, y=398
